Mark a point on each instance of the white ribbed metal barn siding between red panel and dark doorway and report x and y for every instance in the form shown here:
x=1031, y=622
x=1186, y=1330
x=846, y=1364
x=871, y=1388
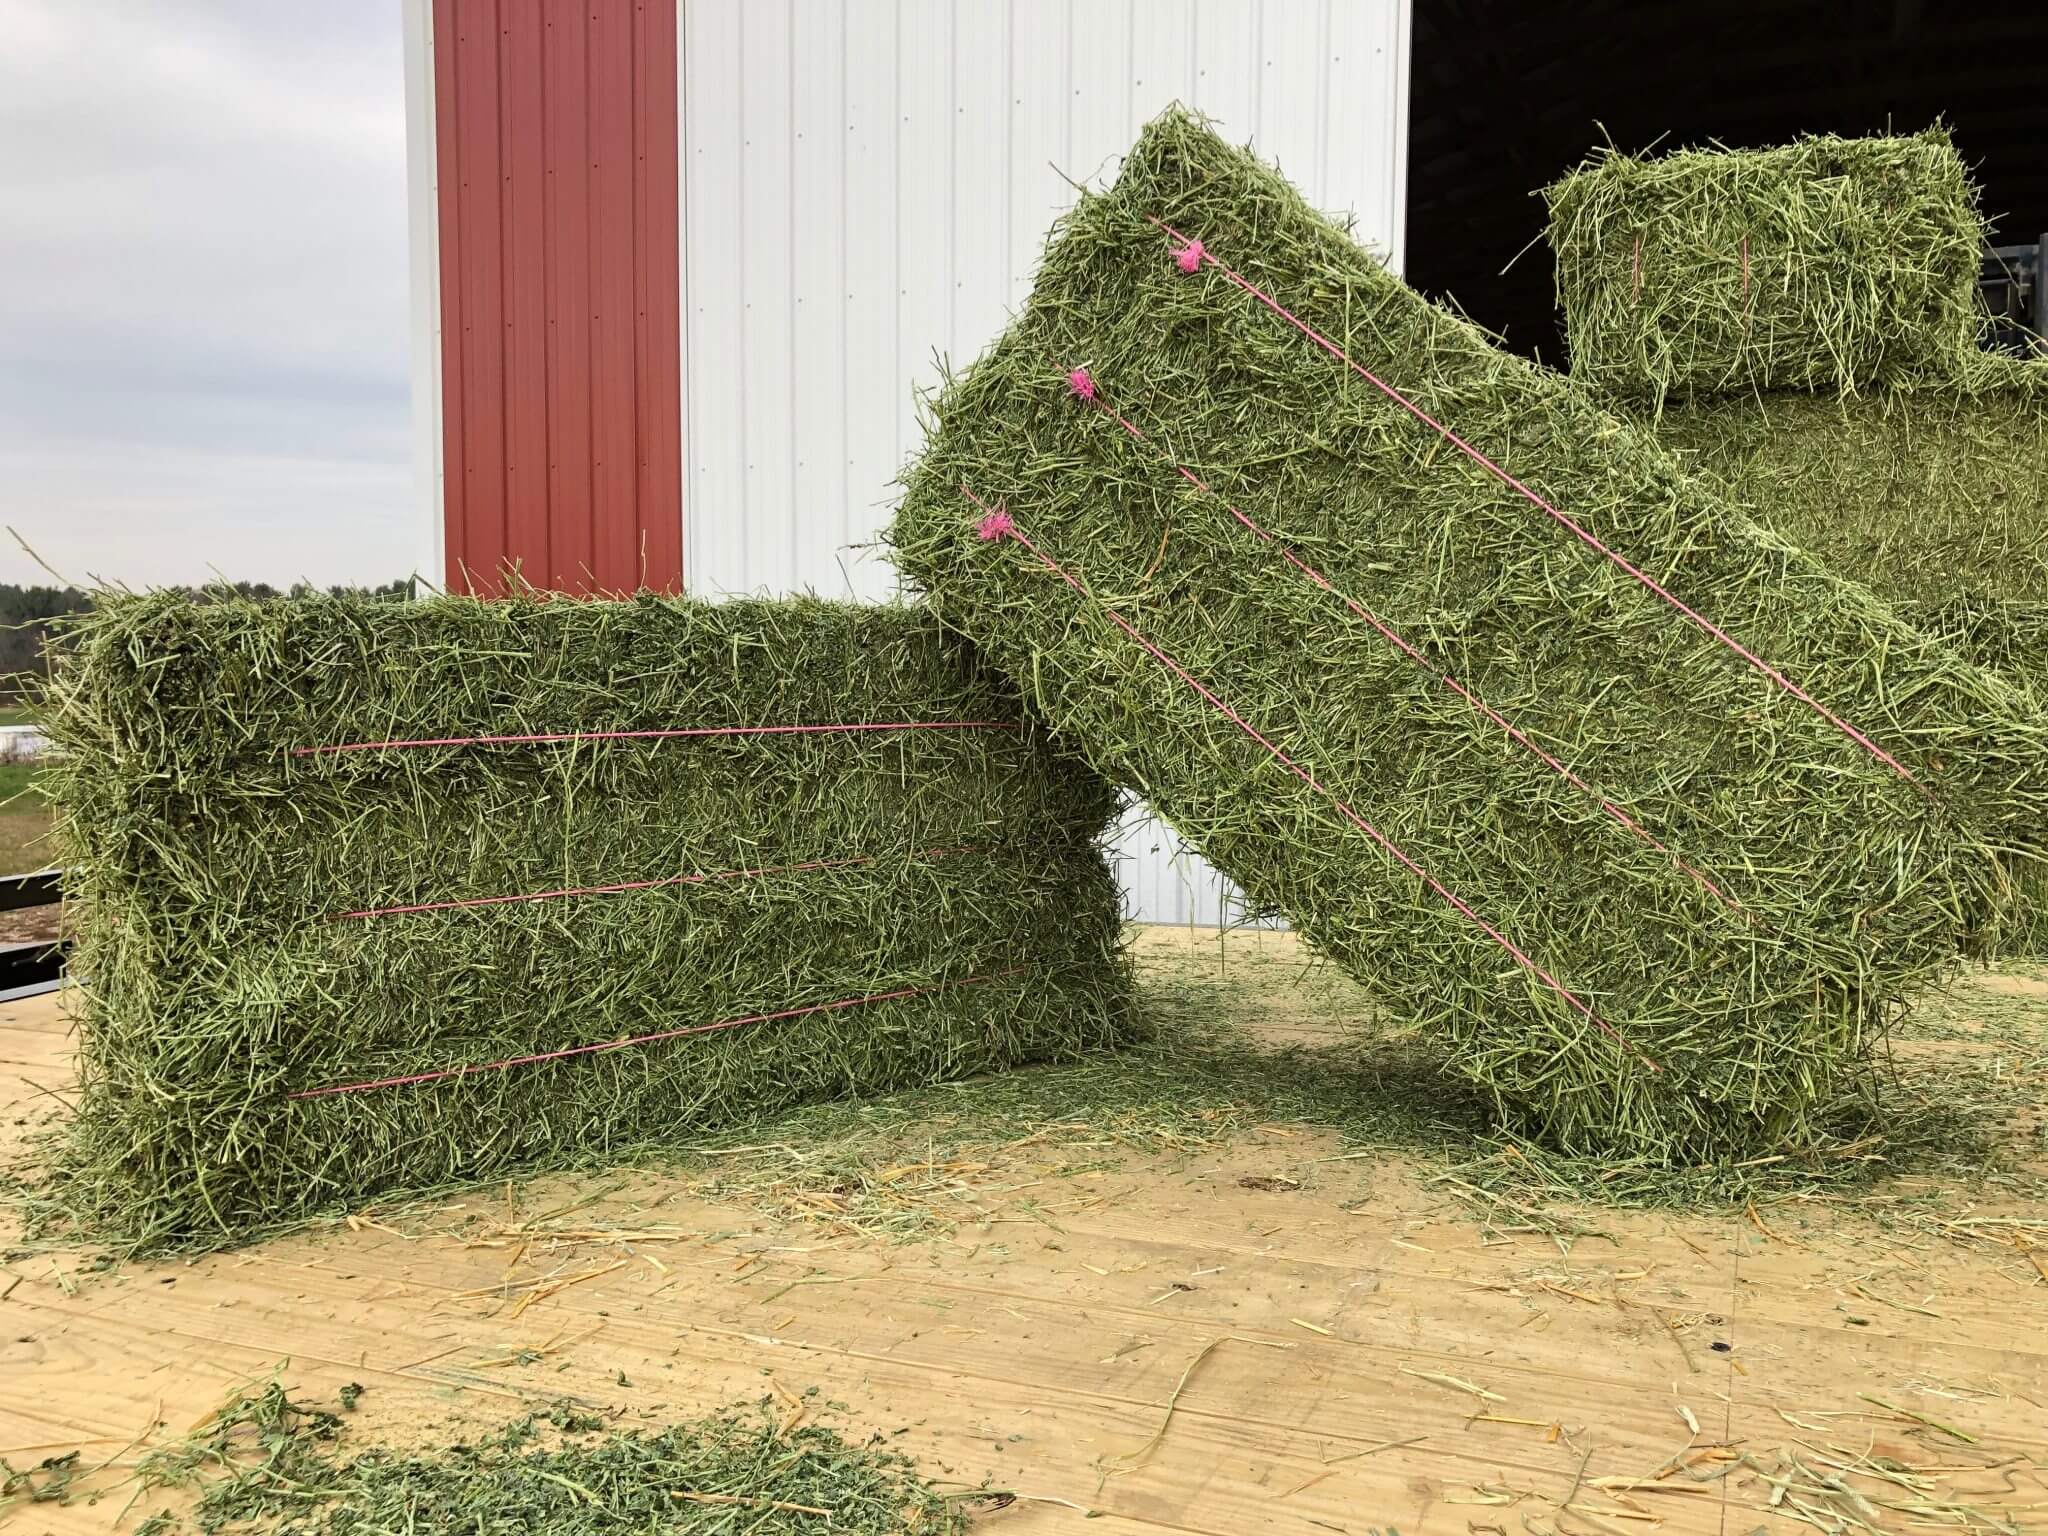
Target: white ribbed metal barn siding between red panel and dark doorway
x=867, y=187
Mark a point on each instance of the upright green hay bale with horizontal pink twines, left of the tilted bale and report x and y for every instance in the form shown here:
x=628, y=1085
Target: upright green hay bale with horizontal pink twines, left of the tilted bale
x=208, y=869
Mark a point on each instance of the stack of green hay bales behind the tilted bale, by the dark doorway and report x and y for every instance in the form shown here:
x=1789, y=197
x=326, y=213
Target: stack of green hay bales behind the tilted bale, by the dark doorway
x=1799, y=325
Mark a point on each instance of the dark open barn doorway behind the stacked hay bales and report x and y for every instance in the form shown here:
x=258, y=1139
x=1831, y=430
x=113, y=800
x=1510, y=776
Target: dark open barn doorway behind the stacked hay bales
x=1506, y=95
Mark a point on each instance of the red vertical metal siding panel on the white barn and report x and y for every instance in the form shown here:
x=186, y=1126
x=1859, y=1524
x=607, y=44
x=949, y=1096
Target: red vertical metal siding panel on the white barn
x=562, y=359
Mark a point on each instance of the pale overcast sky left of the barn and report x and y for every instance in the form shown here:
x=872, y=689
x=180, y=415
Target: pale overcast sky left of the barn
x=204, y=337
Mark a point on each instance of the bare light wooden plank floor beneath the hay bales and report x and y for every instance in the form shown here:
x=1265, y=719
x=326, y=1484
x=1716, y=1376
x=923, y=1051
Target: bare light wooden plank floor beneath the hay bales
x=1263, y=1336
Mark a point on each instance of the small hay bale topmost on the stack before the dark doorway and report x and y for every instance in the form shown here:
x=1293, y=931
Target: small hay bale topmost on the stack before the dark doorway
x=1820, y=265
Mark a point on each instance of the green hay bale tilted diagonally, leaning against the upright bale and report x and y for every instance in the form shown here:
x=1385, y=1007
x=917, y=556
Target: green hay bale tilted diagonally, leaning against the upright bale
x=1852, y=886
